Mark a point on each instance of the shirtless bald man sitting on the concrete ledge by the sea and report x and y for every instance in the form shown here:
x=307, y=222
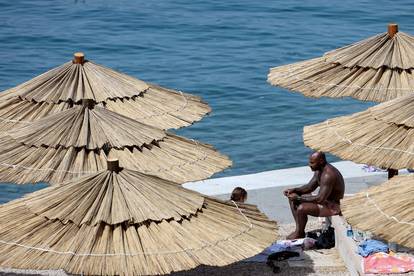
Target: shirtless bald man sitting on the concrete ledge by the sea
x=325, y=203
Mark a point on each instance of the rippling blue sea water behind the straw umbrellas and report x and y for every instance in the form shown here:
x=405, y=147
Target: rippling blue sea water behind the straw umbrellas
x=219, y=50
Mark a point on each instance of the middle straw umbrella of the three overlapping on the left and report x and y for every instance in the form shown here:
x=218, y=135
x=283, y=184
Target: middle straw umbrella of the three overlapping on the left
x=78, y=141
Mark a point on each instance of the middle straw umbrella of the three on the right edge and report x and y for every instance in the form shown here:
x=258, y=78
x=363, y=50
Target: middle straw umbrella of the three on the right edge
x=382, y=135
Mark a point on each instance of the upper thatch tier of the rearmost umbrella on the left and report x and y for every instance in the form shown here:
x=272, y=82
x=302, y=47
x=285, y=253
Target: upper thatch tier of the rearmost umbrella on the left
x=74, y=82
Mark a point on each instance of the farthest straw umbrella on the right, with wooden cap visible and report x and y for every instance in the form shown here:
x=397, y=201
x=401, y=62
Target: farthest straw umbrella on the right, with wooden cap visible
x=376, y=69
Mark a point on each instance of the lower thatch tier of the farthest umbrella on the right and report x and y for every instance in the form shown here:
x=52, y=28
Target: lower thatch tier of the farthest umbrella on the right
x=318, y=78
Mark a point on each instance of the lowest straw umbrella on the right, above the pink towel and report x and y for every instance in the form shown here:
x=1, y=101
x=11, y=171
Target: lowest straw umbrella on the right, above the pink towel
x=385, y=210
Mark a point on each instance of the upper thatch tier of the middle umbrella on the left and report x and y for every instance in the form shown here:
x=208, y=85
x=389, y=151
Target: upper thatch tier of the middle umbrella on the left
x=84, y=127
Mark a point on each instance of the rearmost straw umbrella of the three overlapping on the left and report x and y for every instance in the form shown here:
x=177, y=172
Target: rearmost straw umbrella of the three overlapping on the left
x=67, y=85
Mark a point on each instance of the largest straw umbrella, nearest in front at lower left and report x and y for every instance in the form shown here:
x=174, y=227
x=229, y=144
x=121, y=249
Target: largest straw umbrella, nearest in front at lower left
x=121, y=222
